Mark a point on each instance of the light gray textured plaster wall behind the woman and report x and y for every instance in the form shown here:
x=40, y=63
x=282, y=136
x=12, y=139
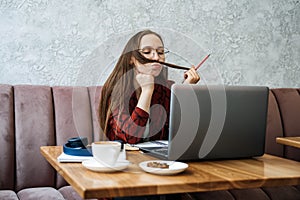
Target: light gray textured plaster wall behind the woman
x=76, y=42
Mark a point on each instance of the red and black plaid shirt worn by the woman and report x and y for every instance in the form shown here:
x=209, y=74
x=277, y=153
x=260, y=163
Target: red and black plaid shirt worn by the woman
x=129, y=124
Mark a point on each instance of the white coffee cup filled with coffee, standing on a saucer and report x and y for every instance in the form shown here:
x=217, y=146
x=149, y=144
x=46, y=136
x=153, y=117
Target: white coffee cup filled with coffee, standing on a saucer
x=106, y=152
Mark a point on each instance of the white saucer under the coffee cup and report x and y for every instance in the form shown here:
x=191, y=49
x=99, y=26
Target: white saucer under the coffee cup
x=94, y=165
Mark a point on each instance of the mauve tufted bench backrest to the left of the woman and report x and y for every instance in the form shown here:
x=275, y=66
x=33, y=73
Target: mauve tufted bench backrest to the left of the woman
x=33, y=116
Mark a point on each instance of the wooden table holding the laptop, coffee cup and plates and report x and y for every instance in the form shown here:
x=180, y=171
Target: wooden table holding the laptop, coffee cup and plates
x=200, y=176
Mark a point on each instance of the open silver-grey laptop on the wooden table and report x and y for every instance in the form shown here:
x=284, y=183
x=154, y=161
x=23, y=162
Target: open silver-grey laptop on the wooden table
x=215, y=122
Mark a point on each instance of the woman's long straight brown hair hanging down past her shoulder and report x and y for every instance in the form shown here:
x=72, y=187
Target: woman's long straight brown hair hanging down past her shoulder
x=119, y=85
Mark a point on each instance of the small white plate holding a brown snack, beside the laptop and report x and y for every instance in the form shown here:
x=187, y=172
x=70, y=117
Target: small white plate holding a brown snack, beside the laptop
x=174, y=167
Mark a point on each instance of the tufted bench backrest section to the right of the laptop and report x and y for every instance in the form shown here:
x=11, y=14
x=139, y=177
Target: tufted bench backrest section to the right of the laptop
x=283, y=121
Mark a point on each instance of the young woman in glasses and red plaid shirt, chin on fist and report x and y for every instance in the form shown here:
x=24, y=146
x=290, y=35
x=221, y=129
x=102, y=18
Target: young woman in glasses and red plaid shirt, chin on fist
x=134, y=104
